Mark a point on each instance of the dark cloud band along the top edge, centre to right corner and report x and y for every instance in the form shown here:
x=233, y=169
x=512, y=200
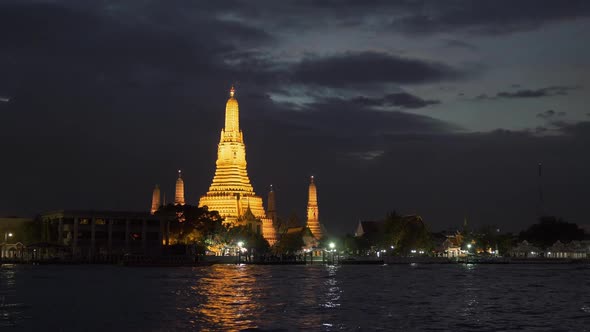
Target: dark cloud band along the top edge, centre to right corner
x=413, y=17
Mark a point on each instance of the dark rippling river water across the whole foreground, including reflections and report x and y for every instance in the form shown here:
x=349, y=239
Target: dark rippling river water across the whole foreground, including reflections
x=285, y=298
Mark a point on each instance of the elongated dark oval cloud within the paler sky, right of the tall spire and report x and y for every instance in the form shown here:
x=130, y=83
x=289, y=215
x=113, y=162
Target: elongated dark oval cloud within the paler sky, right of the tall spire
x=352, y=69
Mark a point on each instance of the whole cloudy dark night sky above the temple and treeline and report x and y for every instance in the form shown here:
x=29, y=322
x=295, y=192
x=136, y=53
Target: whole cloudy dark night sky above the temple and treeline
x=440, y=108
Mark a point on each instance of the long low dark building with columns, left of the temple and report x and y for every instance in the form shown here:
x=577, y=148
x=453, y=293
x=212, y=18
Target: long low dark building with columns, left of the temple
x=102, y=234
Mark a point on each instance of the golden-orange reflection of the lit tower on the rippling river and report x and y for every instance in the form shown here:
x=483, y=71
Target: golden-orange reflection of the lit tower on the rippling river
x=226, y=299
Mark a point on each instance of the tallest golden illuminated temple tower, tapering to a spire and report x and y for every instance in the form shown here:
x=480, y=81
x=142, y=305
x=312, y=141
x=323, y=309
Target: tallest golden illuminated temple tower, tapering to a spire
x=230, y=192
